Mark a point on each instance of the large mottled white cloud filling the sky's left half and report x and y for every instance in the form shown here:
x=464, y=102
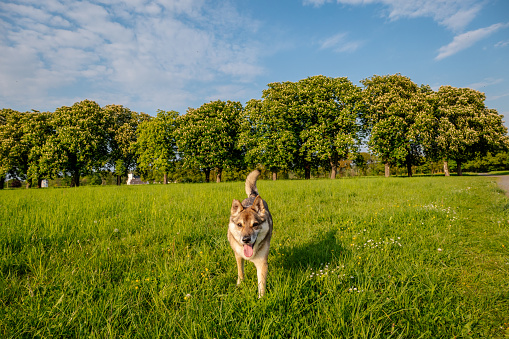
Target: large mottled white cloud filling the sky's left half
x=148, y=49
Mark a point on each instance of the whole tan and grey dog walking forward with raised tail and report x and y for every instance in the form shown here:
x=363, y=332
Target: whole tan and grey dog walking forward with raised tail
x=250, y=231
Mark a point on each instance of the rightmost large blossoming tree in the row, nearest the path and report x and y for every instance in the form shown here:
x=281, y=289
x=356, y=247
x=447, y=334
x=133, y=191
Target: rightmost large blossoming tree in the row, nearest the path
x=464, y=127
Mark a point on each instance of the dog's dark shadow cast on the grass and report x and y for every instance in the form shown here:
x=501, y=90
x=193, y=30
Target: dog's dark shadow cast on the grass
x=325, y=249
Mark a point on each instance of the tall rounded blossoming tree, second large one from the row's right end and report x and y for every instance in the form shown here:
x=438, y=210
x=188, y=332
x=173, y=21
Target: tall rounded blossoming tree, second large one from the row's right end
x=395, y=116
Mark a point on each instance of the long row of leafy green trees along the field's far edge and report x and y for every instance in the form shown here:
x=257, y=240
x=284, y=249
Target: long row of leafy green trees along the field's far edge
x=315, y=122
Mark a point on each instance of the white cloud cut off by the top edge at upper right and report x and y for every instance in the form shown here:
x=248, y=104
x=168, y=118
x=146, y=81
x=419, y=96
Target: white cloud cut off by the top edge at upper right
x=453, y=14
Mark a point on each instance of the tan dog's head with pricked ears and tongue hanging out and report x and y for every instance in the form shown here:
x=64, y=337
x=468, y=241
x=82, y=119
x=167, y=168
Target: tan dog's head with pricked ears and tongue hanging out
x=247, y=223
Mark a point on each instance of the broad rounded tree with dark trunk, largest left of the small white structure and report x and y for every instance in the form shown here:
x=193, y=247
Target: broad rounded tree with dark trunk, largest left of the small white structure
x=79, y=144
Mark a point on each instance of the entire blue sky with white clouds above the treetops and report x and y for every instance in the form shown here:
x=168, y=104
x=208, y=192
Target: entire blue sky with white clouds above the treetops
x=175, y=54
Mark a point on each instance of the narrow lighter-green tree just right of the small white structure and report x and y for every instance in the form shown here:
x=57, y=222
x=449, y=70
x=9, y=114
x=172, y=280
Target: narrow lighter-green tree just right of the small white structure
x=156, y=146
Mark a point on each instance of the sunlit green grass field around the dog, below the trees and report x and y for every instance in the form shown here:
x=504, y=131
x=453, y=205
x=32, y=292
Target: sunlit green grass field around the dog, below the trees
x=353, y=258
